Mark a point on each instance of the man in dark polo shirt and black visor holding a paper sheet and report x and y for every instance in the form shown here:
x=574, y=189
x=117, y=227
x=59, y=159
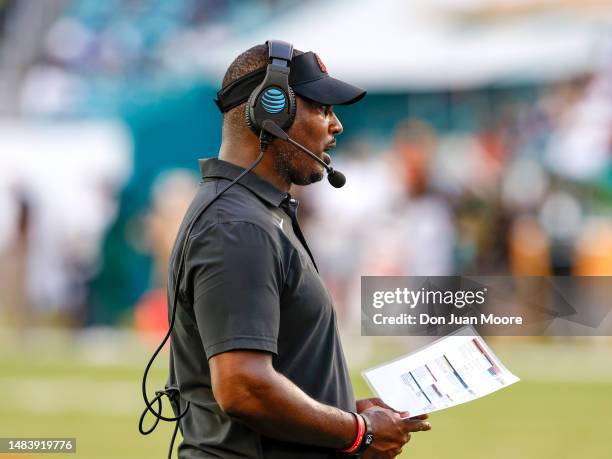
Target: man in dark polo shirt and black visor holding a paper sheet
x=255, y=347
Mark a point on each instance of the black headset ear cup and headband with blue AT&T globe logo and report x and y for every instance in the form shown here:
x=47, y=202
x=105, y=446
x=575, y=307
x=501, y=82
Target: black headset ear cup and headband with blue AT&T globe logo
x=273, y=99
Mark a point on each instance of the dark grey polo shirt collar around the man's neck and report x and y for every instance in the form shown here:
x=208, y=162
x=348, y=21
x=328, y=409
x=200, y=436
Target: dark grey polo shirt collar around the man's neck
x=217, y=168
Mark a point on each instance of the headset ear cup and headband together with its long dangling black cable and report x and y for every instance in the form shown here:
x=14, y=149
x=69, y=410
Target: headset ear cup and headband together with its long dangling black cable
x=273, y=100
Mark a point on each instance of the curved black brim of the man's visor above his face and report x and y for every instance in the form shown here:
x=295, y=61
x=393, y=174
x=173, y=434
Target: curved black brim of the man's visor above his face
x=330, y=91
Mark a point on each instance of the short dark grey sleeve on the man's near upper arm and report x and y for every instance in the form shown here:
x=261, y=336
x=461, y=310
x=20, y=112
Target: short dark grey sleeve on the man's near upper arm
x=237, y=282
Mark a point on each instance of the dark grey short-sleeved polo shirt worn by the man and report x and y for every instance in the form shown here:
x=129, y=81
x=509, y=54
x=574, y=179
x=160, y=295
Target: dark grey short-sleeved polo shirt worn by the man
x=250, y=282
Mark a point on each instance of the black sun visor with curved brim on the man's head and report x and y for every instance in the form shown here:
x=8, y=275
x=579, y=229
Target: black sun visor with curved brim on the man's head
x=308, y=78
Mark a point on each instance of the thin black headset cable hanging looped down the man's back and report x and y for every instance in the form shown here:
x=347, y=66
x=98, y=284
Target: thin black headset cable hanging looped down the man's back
x=171, y=393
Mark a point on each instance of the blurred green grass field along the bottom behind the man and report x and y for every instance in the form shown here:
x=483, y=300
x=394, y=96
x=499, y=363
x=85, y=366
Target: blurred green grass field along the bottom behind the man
x=88, y=386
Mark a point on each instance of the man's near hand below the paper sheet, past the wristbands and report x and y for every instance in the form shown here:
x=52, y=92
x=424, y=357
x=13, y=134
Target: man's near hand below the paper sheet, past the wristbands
x=391, y=430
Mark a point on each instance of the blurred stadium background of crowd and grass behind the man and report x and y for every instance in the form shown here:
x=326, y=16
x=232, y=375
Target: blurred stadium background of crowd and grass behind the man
x=482, y=148
